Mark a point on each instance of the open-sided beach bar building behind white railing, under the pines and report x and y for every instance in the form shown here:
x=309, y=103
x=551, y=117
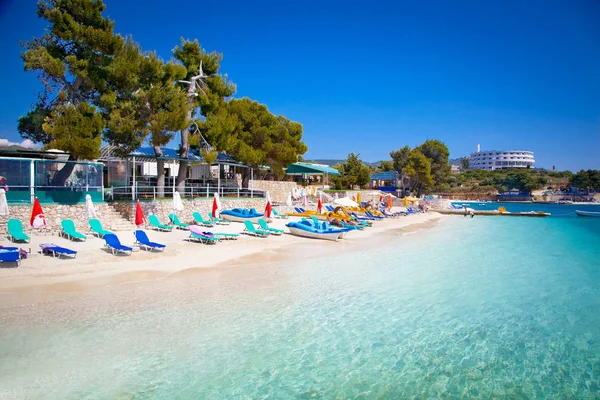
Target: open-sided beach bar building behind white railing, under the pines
x=135, y=175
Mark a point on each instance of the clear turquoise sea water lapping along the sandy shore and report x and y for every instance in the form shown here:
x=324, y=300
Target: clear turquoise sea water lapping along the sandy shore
x=487, y=307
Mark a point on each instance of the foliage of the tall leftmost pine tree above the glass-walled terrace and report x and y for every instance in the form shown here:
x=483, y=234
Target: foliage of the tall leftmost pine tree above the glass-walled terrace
x=71, y=60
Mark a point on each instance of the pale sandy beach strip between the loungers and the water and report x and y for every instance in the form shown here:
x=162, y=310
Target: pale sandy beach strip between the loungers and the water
x=39, y=276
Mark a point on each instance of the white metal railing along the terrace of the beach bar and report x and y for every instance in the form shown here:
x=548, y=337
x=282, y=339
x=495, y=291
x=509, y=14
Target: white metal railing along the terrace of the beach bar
x=189, y=192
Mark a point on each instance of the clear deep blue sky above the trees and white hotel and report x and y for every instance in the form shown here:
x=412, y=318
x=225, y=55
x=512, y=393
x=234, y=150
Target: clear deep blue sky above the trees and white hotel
x=370, y=77
